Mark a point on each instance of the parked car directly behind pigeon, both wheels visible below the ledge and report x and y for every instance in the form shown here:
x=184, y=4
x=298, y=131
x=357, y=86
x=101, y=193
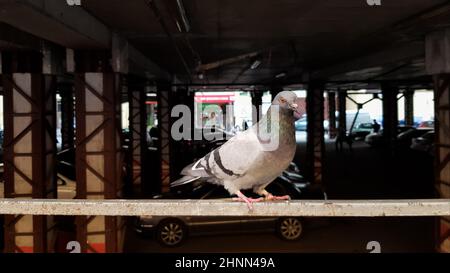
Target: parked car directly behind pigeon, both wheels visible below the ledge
x=173, y=231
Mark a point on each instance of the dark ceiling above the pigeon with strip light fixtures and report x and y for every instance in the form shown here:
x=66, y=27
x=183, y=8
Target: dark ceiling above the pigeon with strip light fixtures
x=333, y=40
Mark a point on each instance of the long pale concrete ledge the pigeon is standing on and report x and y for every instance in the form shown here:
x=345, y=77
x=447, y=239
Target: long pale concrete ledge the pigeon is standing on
x=363, y=208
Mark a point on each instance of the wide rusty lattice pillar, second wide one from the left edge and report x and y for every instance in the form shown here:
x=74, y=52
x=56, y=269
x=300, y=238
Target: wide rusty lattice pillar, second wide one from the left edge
x=98, y=157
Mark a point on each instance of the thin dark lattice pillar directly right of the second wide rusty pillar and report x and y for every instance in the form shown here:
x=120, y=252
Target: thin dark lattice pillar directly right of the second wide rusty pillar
x=138, y=134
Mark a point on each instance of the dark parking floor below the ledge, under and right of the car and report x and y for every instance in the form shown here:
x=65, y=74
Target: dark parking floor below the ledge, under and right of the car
x=333, y=235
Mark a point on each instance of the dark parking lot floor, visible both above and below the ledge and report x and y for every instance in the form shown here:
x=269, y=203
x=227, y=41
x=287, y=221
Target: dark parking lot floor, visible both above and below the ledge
x=364, y=173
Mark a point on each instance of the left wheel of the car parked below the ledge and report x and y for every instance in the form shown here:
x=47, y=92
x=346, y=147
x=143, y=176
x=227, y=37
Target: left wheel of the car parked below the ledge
x=171, y=232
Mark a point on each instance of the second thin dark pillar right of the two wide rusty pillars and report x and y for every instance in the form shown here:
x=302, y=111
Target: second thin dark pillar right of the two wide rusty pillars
x=164, y=124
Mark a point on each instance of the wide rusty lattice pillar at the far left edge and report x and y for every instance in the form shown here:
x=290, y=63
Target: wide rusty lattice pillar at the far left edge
x=29, y=157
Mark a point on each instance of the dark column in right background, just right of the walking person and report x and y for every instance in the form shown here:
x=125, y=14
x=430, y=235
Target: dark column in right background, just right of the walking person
x=390, y=115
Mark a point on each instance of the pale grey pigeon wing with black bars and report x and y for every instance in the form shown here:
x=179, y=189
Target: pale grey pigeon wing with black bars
x=232, y=160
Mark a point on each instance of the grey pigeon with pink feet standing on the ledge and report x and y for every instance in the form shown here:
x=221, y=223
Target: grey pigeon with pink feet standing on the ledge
x=251, y=160
